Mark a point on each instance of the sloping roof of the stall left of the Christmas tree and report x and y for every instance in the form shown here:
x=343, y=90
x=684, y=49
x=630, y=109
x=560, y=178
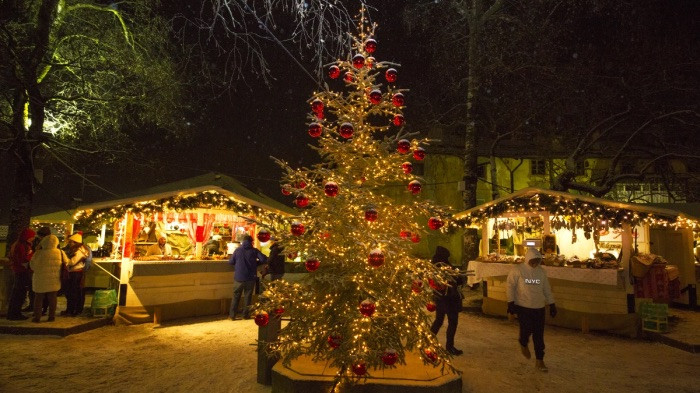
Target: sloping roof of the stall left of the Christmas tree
x=222, y=184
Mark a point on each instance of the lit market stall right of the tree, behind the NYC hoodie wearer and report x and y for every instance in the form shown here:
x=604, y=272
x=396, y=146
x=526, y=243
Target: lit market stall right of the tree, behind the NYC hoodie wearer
x=601, y=257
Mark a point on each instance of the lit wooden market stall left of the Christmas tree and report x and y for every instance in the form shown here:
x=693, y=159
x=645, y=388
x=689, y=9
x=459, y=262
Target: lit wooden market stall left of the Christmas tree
x=202, y=220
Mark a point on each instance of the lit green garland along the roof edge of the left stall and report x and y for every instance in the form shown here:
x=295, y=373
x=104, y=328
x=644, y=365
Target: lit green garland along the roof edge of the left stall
x=202, y=200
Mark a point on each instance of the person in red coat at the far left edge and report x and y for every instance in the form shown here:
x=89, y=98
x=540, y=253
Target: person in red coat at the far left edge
x=20, y=254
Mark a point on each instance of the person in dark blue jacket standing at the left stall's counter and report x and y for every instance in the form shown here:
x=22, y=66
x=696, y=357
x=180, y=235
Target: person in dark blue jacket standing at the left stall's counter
x=245, y=261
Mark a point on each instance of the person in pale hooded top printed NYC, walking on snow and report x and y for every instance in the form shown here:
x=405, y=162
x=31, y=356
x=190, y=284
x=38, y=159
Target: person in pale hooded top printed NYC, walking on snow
x=528, y=293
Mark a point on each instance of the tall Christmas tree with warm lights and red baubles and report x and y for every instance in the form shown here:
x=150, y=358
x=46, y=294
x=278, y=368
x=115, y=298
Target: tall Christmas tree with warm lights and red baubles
x=364, y=304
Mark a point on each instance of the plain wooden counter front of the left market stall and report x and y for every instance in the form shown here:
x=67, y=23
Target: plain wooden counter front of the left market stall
x=163, y=290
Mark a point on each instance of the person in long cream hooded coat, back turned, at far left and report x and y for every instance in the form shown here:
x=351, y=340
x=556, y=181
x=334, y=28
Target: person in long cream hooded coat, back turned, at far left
x=46, y=264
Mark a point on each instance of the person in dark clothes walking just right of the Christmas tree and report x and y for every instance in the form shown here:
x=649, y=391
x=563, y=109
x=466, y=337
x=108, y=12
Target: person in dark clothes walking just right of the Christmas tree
x=448, y=301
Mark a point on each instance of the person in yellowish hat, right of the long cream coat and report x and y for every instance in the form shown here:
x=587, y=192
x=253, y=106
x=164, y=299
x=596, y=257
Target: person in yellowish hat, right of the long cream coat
x=73, y=275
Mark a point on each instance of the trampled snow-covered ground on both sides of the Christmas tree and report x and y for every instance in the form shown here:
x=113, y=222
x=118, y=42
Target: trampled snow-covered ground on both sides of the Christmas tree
x=218, y=355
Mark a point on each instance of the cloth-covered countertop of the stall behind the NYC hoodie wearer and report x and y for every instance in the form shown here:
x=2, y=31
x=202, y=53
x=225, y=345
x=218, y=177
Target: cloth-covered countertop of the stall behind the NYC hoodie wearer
x=594, y=276
